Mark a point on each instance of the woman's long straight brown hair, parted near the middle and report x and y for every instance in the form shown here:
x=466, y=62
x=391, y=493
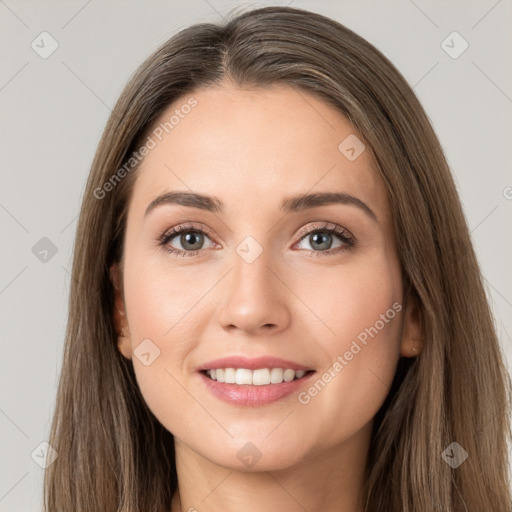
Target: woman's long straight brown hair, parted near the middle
x=113, y=454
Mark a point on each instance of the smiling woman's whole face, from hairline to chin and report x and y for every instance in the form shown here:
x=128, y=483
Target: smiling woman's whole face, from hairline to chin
x=257, y=273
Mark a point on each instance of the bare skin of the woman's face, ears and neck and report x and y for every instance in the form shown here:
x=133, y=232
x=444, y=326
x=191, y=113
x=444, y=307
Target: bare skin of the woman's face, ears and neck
x=253, y=149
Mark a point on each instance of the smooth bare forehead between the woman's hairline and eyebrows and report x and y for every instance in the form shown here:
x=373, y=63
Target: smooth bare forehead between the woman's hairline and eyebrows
x=252, y=148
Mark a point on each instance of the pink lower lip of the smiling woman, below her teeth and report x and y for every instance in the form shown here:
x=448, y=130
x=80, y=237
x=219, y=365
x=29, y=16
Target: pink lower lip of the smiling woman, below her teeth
x=253, y=396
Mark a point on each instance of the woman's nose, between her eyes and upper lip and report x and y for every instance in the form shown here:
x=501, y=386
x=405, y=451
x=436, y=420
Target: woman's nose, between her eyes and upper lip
x=255, y=297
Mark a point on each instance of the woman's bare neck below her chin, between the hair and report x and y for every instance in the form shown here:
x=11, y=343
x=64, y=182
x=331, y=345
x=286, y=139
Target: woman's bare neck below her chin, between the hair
x=331, y=480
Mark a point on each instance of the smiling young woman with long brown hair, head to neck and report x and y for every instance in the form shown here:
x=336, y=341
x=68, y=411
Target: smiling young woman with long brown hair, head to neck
x=216, y=356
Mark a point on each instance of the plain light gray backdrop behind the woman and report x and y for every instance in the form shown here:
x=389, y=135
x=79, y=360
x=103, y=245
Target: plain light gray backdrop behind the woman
x=54, y=110
